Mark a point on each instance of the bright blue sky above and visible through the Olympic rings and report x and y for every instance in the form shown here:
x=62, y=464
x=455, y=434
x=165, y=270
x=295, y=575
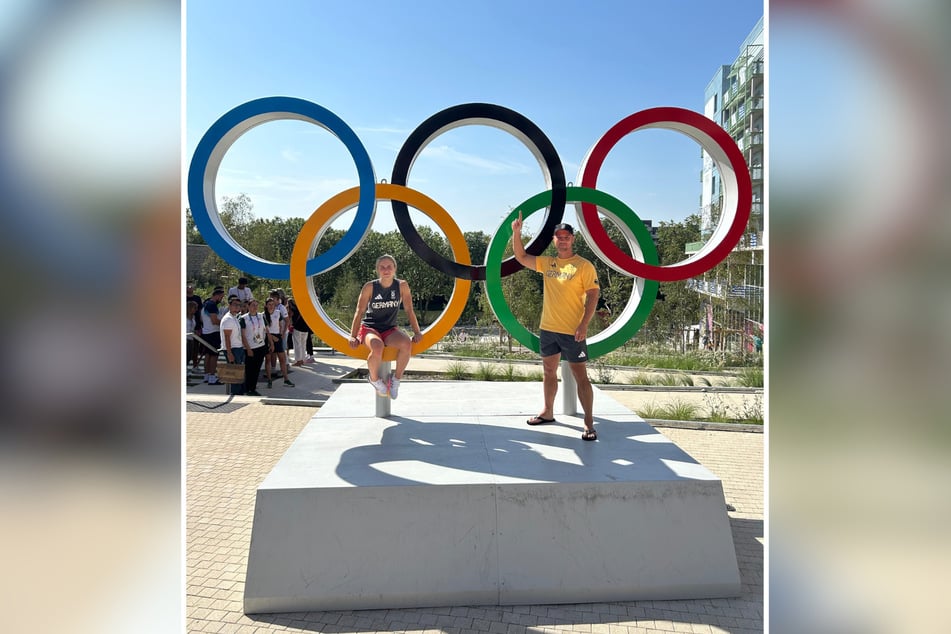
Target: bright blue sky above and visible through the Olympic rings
x=573, y=68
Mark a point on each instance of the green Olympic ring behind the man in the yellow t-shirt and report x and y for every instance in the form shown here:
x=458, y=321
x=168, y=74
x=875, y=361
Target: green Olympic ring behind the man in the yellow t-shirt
x=643, y=294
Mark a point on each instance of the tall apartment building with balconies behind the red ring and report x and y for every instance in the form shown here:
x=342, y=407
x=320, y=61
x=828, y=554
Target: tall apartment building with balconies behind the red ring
x=734, y=99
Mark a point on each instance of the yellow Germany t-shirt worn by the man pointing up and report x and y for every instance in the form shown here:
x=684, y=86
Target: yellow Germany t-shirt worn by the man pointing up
x=566, y=282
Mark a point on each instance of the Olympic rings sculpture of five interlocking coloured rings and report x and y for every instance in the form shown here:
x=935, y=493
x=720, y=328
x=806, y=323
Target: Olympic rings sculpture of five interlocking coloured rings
x=306, y=263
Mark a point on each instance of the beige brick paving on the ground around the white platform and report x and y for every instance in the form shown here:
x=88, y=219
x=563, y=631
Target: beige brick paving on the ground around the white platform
x=232, y=444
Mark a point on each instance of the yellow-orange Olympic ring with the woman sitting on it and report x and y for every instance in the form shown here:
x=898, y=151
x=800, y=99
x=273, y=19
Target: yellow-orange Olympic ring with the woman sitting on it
x=313, y=312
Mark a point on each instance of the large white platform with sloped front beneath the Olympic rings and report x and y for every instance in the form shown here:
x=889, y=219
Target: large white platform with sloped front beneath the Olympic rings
x=454, y=500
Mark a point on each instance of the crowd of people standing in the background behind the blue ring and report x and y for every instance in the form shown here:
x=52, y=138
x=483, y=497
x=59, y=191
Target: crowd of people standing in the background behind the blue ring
x=247, y=334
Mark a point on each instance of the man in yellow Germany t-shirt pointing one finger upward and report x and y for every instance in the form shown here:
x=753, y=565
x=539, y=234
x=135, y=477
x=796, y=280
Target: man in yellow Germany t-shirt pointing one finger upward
x=571, y=293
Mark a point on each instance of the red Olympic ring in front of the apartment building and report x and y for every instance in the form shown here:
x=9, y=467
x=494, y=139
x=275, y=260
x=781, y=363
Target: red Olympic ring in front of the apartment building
x=737, y=192
